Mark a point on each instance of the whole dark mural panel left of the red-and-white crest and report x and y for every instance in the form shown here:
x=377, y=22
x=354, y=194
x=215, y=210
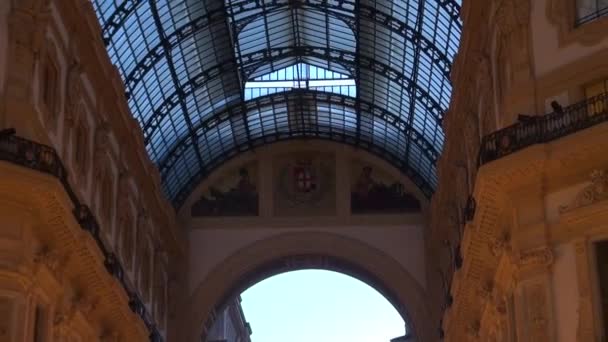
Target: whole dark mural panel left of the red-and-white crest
x=234, y=195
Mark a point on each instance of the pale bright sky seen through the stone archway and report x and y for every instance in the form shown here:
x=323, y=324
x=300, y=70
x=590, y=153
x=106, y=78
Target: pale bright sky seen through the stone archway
x=319, y=306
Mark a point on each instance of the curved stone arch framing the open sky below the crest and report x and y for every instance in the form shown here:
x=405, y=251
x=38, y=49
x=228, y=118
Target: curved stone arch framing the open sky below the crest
x=307, y=250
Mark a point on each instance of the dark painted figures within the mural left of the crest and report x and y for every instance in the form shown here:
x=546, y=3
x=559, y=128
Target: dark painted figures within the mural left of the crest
x=241, y=200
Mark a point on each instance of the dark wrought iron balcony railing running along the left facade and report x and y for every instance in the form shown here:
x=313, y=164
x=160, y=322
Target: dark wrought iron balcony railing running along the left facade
x=45, y=159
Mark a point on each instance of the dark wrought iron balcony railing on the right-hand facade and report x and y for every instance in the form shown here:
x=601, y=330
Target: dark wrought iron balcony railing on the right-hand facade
x=542, y=129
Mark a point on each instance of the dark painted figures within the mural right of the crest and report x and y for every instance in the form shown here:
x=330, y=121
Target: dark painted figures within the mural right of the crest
x=370, y=196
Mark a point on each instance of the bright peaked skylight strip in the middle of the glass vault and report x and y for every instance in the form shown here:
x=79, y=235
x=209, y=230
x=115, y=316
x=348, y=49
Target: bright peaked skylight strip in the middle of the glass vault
x=300, y=76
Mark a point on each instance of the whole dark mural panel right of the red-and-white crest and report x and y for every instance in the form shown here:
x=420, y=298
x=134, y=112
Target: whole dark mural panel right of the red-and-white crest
x=375, y=192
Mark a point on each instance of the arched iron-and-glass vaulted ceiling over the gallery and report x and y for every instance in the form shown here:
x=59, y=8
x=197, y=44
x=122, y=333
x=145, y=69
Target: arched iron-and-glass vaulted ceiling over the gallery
x=186, y=63
